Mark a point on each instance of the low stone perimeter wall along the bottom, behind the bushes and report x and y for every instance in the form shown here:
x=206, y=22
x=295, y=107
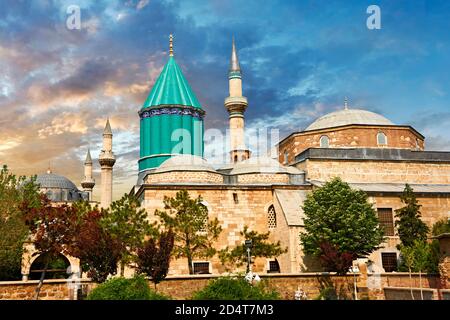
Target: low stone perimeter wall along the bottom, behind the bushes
x=183, y=287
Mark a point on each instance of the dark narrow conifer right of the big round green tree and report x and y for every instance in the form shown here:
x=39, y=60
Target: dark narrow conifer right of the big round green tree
x=409, y=225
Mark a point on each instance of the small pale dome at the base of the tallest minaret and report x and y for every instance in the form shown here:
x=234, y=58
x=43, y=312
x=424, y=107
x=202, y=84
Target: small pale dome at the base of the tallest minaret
x=262, y=165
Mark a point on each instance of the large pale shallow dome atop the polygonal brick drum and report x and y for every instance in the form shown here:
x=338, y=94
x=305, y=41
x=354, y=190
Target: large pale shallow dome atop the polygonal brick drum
x=346, y=117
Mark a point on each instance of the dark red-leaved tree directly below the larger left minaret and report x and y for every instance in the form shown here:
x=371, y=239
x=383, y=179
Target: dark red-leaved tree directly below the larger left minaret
x=98, y=251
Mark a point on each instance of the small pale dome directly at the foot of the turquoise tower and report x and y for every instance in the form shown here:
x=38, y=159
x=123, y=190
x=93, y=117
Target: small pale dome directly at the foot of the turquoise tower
x=185, y=162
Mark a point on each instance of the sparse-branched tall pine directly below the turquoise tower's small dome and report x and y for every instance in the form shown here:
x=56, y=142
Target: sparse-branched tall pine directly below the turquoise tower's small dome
x=194, y=233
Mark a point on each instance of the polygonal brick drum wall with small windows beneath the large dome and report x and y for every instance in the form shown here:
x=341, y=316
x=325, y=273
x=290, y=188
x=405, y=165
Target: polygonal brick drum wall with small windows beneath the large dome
x=351, y=136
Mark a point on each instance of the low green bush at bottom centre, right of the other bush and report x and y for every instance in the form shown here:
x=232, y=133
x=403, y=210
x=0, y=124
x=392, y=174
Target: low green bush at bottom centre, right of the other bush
x=235, y=289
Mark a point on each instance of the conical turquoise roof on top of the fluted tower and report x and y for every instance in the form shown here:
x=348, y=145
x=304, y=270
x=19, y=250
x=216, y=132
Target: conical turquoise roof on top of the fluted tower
x=171, y=88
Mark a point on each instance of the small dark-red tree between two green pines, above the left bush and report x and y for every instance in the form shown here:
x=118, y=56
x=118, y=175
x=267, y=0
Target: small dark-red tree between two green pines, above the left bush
x=153, y=258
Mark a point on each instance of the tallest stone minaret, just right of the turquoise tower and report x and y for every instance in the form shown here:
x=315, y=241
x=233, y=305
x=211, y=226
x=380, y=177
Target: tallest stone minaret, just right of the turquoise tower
x=236, y=105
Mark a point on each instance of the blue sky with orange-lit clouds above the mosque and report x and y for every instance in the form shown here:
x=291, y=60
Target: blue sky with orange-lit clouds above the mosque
x=299, y=60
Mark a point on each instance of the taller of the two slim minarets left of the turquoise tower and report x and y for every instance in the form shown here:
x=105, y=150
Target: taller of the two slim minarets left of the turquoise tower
x=106, y=160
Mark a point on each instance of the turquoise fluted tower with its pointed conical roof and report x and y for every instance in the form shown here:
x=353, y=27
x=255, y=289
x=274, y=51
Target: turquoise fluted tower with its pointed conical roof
x=171, y=120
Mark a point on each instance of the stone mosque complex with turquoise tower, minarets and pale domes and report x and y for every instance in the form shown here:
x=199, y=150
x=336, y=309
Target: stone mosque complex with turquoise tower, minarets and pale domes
x=363, y=148
